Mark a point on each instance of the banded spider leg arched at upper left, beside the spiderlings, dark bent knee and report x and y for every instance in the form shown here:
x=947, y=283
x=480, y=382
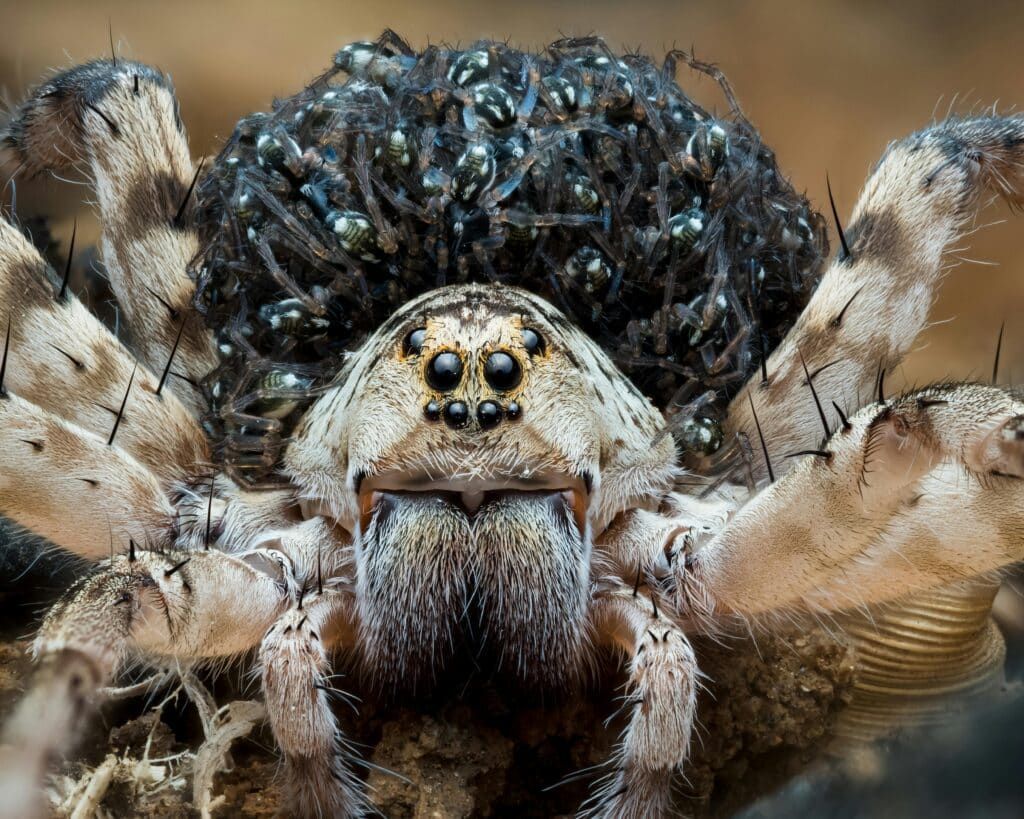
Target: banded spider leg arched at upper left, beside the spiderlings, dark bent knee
x=119, y=121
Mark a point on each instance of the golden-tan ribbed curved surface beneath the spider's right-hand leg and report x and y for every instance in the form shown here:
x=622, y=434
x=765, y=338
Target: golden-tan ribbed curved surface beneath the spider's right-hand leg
x=922, y=659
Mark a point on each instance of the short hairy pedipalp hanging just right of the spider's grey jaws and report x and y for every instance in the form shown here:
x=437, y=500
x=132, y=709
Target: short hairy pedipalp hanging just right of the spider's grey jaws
x=661, y=698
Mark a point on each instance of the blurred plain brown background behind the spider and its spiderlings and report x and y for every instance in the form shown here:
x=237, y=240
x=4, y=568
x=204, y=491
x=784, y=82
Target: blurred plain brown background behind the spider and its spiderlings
x=829, y=83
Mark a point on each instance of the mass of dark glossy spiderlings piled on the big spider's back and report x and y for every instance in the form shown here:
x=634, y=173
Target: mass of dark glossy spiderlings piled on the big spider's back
x=665, y=233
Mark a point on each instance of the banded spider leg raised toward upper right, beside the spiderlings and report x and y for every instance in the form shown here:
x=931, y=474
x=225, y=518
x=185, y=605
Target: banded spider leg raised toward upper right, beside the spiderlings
x=872, y=305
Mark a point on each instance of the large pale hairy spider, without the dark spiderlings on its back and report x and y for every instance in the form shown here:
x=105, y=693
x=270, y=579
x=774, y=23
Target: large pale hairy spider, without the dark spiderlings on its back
x=478, y=450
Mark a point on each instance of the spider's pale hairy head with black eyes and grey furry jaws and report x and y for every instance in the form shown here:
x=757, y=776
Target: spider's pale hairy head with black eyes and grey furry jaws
x=445, y=462
